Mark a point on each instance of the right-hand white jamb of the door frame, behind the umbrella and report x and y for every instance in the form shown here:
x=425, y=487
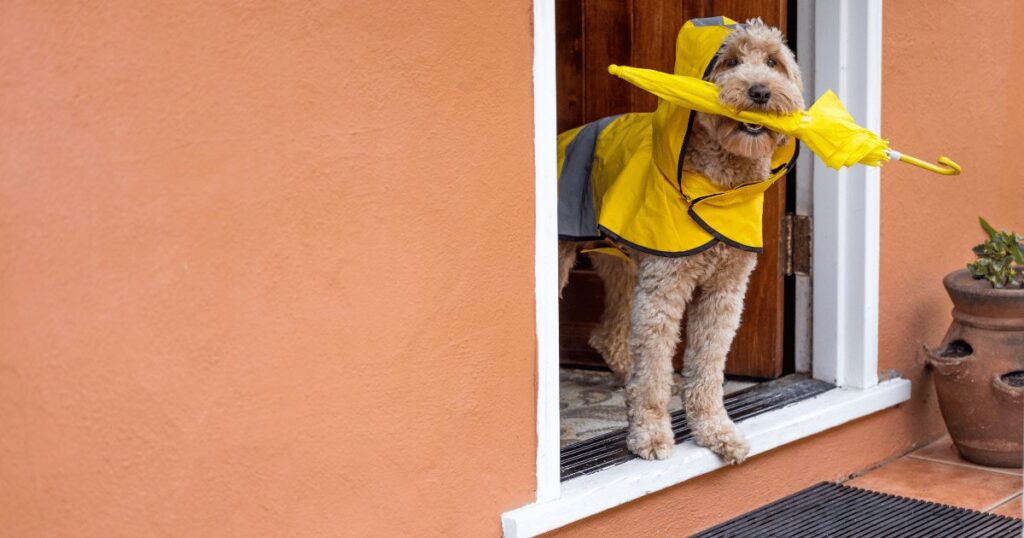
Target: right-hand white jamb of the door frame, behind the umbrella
x=848, y=60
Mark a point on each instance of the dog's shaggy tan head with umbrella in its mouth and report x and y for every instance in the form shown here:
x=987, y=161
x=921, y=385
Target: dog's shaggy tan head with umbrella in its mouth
x=755, y=71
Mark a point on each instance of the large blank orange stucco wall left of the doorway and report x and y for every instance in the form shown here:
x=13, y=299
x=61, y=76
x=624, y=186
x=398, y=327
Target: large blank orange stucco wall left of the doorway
x=267, y=269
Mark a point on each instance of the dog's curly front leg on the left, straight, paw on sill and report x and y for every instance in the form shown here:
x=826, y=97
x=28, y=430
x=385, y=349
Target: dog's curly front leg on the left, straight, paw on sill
x=659, y=303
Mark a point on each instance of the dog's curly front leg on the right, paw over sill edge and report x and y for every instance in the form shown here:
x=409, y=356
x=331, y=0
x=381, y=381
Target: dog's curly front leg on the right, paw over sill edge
x=713, y=323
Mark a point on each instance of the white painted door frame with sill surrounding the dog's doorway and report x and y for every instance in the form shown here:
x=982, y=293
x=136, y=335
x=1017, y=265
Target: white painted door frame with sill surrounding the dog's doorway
x=848, y=60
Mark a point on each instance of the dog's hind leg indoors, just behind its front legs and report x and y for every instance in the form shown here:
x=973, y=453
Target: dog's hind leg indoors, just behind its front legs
x=612, y=336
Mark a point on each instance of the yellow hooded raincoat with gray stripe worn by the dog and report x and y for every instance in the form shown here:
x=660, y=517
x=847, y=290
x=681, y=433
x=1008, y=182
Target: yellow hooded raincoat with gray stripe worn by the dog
x=622, y=177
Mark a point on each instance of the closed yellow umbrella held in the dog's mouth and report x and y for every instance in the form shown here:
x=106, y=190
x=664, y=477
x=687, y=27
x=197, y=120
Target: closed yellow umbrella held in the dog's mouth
x=827, y=129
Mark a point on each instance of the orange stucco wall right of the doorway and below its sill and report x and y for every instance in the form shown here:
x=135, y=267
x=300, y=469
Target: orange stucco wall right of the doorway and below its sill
x=952, y=84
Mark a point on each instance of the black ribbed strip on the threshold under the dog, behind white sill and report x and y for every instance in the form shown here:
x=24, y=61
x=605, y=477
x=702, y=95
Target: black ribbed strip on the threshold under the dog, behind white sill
x=610, y=449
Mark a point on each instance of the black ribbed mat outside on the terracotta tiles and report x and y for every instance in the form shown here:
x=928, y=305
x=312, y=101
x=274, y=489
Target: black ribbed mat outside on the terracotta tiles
x=837, y=511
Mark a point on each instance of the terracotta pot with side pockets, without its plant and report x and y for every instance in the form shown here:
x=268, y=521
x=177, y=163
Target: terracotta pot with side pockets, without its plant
x=980, y=371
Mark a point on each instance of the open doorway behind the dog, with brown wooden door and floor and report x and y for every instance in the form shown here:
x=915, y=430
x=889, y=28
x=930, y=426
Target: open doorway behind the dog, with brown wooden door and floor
x=591, y=35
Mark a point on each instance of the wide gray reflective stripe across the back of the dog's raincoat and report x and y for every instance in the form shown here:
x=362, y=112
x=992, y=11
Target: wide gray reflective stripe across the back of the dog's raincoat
x=577, y=219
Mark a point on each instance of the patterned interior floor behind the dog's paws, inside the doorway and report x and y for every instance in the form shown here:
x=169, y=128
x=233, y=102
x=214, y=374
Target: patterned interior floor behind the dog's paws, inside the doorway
x=593, y=403
